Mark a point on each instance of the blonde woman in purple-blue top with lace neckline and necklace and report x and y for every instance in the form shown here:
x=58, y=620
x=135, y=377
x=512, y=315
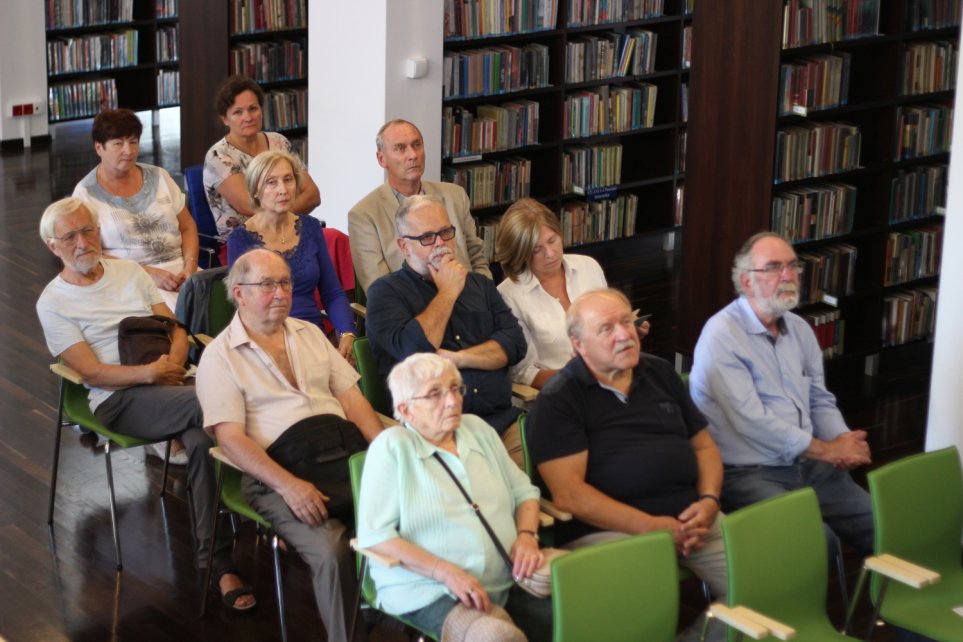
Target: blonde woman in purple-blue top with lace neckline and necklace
x=274, y=184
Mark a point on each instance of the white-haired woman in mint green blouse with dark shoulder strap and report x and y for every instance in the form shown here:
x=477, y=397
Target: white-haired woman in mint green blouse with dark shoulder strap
x=451, y=580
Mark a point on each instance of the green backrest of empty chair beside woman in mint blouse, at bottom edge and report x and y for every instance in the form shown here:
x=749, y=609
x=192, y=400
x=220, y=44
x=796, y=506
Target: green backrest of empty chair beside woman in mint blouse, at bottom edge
x=622, y=590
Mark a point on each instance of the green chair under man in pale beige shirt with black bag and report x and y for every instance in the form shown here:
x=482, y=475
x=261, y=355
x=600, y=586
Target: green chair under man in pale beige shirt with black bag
x=232, y=499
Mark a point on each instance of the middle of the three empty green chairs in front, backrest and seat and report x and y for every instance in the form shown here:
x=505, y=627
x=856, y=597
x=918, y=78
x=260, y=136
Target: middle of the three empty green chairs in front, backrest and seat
x=776, y=556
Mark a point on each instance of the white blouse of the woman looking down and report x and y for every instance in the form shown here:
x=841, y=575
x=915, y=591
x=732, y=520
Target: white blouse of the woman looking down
x=542, y=317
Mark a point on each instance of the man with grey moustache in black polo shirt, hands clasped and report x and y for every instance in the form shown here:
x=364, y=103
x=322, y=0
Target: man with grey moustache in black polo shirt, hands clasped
x=621, y=446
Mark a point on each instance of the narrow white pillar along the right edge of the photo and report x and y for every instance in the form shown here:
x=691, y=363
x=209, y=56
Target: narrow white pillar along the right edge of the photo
x=945, y=421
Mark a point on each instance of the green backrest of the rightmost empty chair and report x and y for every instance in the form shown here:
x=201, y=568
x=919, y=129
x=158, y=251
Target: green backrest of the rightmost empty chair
x=918, y=508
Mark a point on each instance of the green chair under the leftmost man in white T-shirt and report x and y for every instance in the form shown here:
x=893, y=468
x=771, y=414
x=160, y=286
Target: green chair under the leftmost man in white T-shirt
x=73, y=408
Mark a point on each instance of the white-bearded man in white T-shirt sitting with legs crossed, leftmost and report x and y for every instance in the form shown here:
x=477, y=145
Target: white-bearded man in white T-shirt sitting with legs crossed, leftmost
x=80, y=311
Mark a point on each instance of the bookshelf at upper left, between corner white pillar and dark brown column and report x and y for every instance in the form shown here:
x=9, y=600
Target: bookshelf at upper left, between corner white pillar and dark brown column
x=108, y=54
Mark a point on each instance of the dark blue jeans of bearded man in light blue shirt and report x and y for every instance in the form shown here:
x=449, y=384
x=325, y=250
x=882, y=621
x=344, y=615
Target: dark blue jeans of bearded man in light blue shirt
x=845, y=506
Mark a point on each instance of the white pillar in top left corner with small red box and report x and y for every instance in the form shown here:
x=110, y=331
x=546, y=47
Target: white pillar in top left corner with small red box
x=23, y=67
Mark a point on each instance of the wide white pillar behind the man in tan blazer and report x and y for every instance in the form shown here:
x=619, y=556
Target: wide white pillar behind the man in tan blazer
x=356, y=83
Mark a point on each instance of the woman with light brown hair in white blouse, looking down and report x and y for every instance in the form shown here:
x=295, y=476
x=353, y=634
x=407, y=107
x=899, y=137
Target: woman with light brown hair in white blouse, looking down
x=541, y=283
